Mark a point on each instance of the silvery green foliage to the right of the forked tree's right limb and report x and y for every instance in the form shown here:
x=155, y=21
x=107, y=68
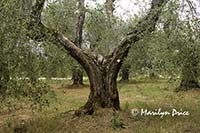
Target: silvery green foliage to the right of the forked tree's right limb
x=173, y=45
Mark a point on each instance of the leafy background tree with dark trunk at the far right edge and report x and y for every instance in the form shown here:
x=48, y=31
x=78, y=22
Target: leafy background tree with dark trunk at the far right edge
x=182, y=34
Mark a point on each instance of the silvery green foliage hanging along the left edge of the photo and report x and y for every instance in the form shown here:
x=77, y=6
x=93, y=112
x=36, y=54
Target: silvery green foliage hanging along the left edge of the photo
x=19, y=58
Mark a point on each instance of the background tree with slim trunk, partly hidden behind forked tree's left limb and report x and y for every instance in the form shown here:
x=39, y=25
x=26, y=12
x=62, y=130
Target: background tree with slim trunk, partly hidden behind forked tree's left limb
x=72, y=24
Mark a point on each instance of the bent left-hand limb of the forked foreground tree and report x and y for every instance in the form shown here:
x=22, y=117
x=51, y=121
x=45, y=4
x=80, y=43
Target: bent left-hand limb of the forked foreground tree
x=39, y=32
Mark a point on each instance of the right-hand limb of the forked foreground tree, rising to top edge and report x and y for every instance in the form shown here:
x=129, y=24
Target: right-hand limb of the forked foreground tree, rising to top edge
x=145, y=26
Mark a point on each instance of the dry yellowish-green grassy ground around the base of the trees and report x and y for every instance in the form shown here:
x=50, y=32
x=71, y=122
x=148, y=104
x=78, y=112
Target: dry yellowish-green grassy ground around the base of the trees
x=141, y=95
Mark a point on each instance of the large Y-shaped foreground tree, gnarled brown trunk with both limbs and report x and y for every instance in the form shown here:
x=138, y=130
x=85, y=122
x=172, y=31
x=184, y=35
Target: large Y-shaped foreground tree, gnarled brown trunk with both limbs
x=102, y=72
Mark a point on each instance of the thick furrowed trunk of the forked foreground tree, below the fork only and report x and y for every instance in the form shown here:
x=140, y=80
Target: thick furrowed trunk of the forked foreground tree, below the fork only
x=103, y=90
